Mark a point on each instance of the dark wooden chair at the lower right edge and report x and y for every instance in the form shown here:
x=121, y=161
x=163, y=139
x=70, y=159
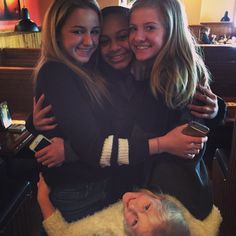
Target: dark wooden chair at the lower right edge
x=224, y=186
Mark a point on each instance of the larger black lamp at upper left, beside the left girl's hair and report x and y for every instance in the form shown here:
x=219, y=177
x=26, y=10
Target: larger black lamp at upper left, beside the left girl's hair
x=25, y=24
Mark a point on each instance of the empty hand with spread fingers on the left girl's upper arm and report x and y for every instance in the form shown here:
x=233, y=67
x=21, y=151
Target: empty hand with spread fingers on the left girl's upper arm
x=40, y=120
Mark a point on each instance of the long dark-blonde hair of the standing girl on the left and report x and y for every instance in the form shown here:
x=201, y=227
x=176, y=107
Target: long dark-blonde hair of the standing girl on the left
x=56, y=16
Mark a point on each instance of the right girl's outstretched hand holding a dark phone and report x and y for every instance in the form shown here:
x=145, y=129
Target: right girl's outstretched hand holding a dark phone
x=179, y=144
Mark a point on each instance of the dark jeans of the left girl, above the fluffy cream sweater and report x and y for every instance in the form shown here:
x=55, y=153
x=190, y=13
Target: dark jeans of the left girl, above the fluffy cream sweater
x=79, y=201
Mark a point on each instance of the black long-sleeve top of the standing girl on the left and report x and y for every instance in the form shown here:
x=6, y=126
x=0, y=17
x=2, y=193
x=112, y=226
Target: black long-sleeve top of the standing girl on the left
x=79, y=120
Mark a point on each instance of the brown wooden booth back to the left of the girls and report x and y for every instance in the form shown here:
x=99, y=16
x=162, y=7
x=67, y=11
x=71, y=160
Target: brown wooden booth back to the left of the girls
x=16, y=80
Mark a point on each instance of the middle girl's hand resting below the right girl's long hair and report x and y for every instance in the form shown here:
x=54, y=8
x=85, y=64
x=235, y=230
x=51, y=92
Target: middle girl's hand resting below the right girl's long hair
x=210, y=108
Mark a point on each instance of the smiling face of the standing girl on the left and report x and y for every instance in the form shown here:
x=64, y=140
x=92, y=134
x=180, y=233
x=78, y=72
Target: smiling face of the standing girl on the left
x=80, y=34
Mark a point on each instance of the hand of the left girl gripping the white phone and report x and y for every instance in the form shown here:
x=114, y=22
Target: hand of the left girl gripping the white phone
x=52, y=155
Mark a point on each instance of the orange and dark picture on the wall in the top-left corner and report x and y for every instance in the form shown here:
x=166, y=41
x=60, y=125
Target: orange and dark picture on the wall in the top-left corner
x=9, y=9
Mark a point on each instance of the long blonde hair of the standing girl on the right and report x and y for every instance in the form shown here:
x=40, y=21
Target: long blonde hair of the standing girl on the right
x=178, y=67
